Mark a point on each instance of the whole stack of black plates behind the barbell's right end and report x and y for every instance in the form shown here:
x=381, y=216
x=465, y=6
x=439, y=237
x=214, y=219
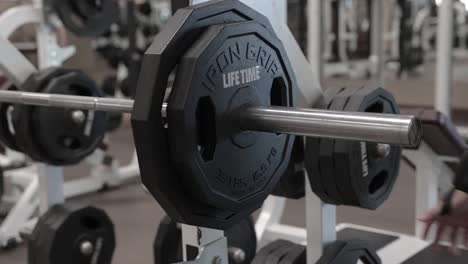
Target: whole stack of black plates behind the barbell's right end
x=349, y=172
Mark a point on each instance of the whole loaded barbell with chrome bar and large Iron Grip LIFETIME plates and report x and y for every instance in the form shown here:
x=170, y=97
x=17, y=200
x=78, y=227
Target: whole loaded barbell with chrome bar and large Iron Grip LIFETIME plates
x=248, y=110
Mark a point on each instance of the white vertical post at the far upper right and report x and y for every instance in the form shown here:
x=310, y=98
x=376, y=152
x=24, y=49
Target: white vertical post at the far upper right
x=443, y=87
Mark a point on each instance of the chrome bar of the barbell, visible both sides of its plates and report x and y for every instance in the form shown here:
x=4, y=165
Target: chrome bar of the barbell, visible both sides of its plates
x=382, y=128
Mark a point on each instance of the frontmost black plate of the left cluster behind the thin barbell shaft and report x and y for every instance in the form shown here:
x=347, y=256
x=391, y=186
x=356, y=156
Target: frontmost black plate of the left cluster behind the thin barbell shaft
x=63, y=139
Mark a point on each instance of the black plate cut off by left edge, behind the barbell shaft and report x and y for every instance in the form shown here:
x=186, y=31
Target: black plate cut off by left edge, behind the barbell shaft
x=7, y=136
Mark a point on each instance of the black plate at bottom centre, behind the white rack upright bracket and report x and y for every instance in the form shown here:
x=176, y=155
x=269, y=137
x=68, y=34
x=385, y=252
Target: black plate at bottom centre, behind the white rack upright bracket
x=168, y=242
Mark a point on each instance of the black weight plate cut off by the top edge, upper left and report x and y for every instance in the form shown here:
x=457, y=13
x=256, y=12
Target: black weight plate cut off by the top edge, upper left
x=87, y=18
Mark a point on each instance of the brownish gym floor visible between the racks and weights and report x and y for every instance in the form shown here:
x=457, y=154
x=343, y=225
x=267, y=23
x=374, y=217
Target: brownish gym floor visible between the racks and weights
x=136, y=215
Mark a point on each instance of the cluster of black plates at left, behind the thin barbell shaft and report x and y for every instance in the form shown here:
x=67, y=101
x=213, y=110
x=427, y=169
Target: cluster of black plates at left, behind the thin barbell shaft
x=58, y=136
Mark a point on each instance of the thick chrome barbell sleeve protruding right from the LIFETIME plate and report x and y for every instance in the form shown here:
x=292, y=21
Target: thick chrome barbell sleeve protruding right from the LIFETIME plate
x=382, y=128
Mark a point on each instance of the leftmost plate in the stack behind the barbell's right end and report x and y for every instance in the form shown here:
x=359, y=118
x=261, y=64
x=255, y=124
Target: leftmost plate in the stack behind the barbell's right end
x=312, y=151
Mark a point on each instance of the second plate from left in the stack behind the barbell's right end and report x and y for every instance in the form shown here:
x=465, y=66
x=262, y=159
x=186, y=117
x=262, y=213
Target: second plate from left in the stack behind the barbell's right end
x=326, y=149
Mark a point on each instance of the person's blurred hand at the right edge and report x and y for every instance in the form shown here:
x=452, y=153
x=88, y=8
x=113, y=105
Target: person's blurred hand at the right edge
x=456, y=223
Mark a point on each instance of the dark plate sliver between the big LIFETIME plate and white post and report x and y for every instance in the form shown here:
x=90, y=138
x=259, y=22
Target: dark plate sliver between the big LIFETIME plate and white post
x=292, y=183
